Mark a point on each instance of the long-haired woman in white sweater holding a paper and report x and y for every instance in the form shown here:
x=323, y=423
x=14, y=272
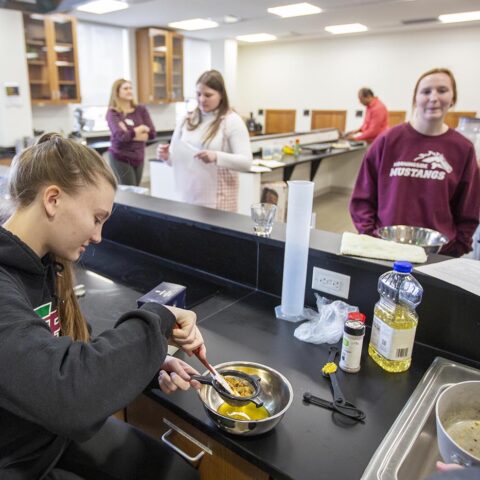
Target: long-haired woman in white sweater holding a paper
x=208, y=148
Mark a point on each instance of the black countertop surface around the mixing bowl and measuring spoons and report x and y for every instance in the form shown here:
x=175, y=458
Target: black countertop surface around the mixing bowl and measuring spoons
x=309, y=442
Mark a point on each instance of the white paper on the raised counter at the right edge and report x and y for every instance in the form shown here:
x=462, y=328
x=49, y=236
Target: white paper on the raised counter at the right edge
x=461, y=272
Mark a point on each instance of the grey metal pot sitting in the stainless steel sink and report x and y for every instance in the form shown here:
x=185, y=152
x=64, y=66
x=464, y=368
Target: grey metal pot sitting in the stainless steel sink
x=459, y=402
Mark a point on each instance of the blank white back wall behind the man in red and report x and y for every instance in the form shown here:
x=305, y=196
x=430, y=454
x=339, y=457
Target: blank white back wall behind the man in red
x=327, y=73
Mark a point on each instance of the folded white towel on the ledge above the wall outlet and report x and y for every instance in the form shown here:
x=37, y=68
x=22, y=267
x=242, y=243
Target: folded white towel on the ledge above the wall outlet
x=371, y=247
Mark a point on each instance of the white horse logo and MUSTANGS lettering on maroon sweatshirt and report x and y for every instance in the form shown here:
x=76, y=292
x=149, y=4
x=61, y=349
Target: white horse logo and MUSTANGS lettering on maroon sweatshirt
x=431, y=166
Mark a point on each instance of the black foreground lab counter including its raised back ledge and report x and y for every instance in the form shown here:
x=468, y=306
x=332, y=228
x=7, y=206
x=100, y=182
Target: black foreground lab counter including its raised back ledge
x=234, y=281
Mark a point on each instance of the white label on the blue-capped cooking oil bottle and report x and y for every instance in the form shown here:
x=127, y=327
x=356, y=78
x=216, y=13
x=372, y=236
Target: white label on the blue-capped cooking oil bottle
x=393, y=344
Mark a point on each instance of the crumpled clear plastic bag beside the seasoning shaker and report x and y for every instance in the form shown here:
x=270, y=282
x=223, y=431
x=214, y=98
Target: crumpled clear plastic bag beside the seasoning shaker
x=327, y=325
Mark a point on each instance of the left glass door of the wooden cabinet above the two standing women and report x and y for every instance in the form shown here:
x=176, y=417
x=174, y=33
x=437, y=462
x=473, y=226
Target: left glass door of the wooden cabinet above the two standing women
x=160, y=68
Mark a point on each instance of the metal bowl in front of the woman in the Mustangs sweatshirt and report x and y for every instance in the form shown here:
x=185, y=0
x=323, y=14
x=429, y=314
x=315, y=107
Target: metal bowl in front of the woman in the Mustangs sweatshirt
x=430, y=240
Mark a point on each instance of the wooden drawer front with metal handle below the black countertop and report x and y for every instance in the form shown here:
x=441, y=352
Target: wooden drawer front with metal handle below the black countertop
x=211, y=458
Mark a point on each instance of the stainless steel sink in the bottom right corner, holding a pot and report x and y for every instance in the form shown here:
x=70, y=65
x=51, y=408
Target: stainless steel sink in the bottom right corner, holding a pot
x=409, y=450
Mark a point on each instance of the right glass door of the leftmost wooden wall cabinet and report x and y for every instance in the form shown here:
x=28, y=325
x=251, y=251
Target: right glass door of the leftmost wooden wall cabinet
x=64, y=59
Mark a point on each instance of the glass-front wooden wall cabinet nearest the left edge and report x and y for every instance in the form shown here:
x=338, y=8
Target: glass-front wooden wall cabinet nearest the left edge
x=51, y=49
